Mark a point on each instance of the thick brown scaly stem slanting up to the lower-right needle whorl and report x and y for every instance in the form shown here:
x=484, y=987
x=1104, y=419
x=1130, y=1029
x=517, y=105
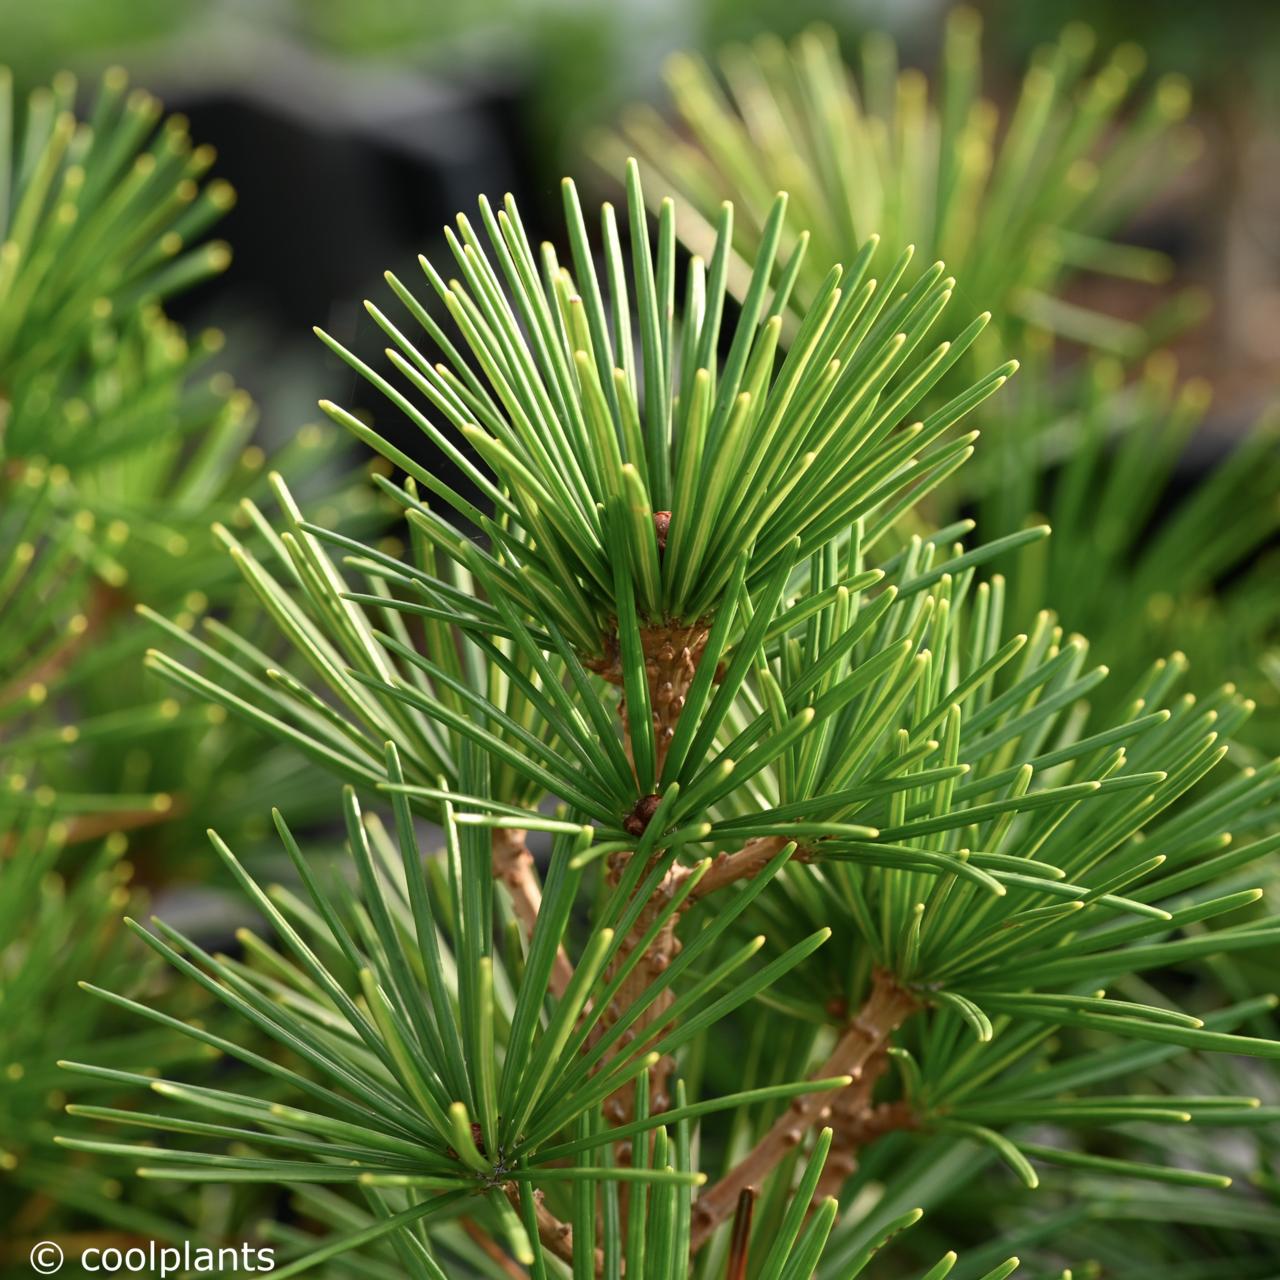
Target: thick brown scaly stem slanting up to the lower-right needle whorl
x=856, y=1054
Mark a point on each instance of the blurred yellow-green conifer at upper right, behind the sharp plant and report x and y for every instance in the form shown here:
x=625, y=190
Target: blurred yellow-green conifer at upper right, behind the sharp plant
x=1025, y=212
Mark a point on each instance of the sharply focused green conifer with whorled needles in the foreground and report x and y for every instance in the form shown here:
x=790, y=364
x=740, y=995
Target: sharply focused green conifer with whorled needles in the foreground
x=708, y=825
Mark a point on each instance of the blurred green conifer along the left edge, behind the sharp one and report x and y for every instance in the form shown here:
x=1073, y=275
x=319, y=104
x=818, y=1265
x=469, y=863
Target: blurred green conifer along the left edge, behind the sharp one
x=118, y=449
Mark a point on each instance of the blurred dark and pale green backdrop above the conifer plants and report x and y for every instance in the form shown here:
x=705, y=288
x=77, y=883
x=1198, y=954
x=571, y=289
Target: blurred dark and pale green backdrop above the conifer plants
x=354, y=130
